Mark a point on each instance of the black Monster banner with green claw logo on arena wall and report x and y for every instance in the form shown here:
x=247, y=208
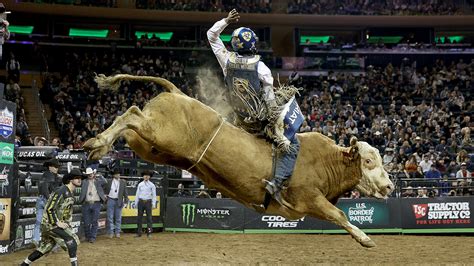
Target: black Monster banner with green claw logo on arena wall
x=191, y=214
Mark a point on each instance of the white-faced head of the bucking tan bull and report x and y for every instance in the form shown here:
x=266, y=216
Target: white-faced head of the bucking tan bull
x=375, y=181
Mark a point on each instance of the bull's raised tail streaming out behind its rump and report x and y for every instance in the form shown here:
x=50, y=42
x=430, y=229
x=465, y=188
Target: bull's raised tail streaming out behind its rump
x=113, y=82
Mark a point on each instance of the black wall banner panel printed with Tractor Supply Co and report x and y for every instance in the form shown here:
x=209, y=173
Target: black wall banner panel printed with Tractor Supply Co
x=437, y=213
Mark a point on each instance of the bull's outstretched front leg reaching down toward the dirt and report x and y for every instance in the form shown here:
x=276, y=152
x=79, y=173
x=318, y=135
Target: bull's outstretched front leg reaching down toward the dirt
x=327, y=211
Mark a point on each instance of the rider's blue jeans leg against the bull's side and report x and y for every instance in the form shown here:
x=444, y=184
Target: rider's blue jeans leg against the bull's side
x=286, y=163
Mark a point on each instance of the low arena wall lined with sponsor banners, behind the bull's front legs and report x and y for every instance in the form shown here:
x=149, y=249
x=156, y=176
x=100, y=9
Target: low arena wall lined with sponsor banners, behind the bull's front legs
x=394, y=215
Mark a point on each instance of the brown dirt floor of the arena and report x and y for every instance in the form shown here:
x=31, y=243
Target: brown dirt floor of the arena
x=265, y=249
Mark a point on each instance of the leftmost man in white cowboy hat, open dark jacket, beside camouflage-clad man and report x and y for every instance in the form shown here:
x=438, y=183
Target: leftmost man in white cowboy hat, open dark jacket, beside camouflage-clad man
x=92, y=197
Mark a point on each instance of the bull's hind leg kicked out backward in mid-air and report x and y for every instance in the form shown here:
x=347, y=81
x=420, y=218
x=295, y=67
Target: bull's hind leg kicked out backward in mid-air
x=102, y=143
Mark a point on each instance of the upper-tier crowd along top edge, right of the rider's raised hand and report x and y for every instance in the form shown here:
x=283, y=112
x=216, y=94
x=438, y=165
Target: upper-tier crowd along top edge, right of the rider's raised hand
x=376, y=7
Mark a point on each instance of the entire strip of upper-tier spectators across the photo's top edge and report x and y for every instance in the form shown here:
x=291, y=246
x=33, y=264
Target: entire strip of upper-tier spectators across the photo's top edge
x=320, y=7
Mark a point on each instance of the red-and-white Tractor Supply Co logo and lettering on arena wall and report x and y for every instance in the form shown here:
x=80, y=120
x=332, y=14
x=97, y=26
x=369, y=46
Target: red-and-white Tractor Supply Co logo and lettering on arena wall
x=442, y=213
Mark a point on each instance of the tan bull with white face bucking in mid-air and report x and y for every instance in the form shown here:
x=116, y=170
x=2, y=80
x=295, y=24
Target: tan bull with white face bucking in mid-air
x=177, y=130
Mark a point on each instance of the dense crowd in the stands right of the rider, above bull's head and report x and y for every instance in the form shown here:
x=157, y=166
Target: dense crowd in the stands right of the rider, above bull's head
x=409, y=114
